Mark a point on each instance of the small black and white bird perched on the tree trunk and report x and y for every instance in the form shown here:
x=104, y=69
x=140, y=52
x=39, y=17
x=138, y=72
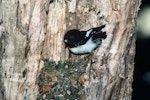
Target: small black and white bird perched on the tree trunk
x=84, y=42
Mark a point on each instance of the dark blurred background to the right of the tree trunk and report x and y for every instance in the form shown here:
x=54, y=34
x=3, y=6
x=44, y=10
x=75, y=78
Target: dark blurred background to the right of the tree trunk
x=141, y=83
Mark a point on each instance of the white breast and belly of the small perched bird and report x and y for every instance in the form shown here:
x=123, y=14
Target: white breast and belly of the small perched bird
x=88, y=47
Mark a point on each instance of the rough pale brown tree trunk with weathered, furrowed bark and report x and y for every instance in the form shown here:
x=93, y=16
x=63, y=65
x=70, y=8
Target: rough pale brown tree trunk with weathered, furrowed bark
x=32, y=30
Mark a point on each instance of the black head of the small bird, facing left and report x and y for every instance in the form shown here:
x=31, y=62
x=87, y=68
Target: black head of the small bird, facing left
x=70, y=38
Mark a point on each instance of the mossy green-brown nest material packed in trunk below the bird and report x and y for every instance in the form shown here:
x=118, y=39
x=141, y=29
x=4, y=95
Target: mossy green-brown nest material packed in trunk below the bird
x=62, y=80
